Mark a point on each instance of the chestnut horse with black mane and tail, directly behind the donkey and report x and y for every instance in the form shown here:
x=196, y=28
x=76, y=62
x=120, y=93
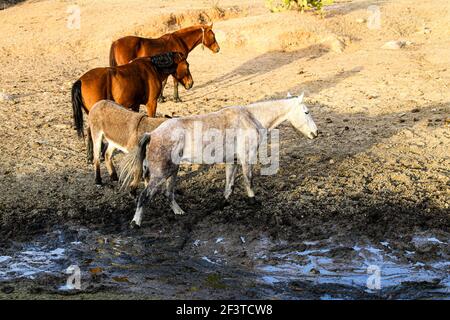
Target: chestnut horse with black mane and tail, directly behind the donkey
x=130, y=85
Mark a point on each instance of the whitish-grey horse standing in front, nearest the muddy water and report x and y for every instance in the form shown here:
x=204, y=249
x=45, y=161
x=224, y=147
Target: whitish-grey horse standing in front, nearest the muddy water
x=177, y=140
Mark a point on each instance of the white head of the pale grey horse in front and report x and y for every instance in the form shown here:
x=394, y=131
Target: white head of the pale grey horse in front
x=300, y=117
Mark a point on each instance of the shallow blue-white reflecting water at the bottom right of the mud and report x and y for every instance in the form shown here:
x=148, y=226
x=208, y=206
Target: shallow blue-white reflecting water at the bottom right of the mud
x=373, y=269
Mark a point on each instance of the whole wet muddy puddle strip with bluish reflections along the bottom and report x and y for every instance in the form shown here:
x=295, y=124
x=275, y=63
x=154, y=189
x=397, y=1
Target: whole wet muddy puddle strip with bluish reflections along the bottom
x=151, y=265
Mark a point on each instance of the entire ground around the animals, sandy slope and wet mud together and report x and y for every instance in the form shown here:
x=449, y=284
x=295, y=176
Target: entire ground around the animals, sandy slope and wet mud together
x=373, y=189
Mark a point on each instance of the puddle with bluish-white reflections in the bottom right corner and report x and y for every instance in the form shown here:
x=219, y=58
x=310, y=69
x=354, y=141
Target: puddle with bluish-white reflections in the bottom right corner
x=359, y=270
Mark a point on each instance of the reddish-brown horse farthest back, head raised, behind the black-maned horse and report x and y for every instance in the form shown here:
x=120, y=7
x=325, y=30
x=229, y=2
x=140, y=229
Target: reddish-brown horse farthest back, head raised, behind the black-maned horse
x=184, y=40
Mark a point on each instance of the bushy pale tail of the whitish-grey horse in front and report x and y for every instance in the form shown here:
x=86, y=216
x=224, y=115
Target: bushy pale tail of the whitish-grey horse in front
x=132, y=166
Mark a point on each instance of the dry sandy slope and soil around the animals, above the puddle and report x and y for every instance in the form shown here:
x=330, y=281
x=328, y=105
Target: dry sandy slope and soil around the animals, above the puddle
x=379, y=170
